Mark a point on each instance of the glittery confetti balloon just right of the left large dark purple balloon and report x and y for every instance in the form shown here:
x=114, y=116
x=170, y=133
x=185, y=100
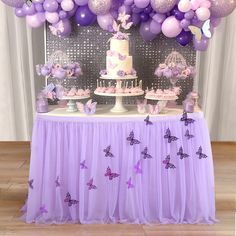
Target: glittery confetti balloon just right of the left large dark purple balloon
x=99, y=7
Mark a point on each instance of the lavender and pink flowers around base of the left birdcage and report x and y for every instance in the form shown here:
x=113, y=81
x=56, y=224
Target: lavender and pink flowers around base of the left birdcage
x=59, y=71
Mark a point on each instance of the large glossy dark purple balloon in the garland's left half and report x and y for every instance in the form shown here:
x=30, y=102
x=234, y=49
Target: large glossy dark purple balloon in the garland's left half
x=84, y=16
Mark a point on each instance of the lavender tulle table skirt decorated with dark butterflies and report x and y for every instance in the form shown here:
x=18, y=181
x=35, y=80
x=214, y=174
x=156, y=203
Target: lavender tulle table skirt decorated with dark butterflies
x=120, y=170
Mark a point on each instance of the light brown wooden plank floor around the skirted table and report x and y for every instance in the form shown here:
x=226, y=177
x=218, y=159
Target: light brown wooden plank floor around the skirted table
x=14, y=167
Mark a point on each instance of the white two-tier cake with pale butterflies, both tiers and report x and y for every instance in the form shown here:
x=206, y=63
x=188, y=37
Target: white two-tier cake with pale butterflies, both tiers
x=118, y=60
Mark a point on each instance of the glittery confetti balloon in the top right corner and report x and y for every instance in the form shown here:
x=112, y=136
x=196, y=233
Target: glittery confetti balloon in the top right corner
x=222, y=8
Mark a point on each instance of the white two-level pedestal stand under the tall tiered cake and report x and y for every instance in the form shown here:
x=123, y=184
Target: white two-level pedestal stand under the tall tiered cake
x=119, y=106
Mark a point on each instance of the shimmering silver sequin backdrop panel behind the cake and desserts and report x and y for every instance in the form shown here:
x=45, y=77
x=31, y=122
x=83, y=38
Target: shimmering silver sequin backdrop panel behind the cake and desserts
x=88, y=45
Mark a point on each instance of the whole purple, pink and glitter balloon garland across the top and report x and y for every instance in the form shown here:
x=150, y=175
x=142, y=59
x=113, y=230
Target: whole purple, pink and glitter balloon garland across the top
x=186, y=20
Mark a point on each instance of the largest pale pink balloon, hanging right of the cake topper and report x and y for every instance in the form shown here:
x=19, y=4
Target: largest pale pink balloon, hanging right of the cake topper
x=171, y=27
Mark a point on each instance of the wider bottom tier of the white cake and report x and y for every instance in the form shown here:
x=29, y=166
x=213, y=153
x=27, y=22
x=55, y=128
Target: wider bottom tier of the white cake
x=115, y=66
